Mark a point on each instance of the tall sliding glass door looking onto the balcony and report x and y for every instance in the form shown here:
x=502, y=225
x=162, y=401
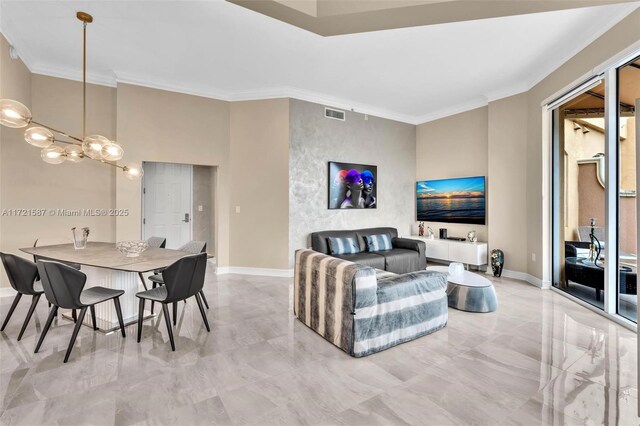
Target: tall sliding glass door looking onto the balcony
x=594, y=205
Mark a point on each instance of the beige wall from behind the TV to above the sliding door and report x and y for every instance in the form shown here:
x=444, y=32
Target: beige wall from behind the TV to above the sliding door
x=450, y=138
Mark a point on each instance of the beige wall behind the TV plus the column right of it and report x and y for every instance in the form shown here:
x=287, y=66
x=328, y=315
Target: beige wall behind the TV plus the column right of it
x=488, y=141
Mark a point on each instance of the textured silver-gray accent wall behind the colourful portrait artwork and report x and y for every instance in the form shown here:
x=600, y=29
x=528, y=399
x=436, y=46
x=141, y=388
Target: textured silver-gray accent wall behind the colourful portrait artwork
x=315, y=140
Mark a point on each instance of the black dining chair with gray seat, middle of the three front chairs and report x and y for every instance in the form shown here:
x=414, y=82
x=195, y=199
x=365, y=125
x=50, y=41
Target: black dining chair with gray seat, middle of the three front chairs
x=64, y=288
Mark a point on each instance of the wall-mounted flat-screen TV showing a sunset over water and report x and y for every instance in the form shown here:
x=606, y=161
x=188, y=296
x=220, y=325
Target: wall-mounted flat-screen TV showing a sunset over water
x=459, y=200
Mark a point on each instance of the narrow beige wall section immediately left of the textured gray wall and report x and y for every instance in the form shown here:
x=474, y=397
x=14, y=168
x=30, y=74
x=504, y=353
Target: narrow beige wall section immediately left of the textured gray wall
x=259, y=182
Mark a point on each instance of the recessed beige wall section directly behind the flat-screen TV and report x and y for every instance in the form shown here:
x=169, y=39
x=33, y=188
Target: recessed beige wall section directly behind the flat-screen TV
x=454, y=146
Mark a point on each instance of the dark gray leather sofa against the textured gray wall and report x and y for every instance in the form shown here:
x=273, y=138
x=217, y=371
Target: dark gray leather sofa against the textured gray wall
x=407, y=255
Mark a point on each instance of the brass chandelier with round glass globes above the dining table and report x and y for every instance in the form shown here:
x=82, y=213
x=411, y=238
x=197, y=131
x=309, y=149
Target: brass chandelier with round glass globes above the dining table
x=95, y=147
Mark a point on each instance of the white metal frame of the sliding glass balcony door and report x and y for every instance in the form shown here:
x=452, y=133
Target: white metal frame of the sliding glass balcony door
x=550, y=119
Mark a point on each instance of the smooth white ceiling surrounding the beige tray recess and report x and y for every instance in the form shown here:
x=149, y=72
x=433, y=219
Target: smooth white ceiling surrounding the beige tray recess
x=221, y=50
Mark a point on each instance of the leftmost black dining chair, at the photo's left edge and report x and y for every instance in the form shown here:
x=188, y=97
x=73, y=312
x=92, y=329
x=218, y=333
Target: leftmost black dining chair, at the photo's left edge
x=22, y=274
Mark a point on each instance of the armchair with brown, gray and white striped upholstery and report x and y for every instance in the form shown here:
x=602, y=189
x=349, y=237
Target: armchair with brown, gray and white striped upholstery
x=348, y=305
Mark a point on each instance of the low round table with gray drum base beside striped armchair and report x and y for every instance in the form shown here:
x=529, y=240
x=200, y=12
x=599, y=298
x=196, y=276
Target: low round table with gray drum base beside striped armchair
x=468, y=291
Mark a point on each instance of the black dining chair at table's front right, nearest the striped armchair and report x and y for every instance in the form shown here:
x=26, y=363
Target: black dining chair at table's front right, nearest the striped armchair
x=182, y=279
